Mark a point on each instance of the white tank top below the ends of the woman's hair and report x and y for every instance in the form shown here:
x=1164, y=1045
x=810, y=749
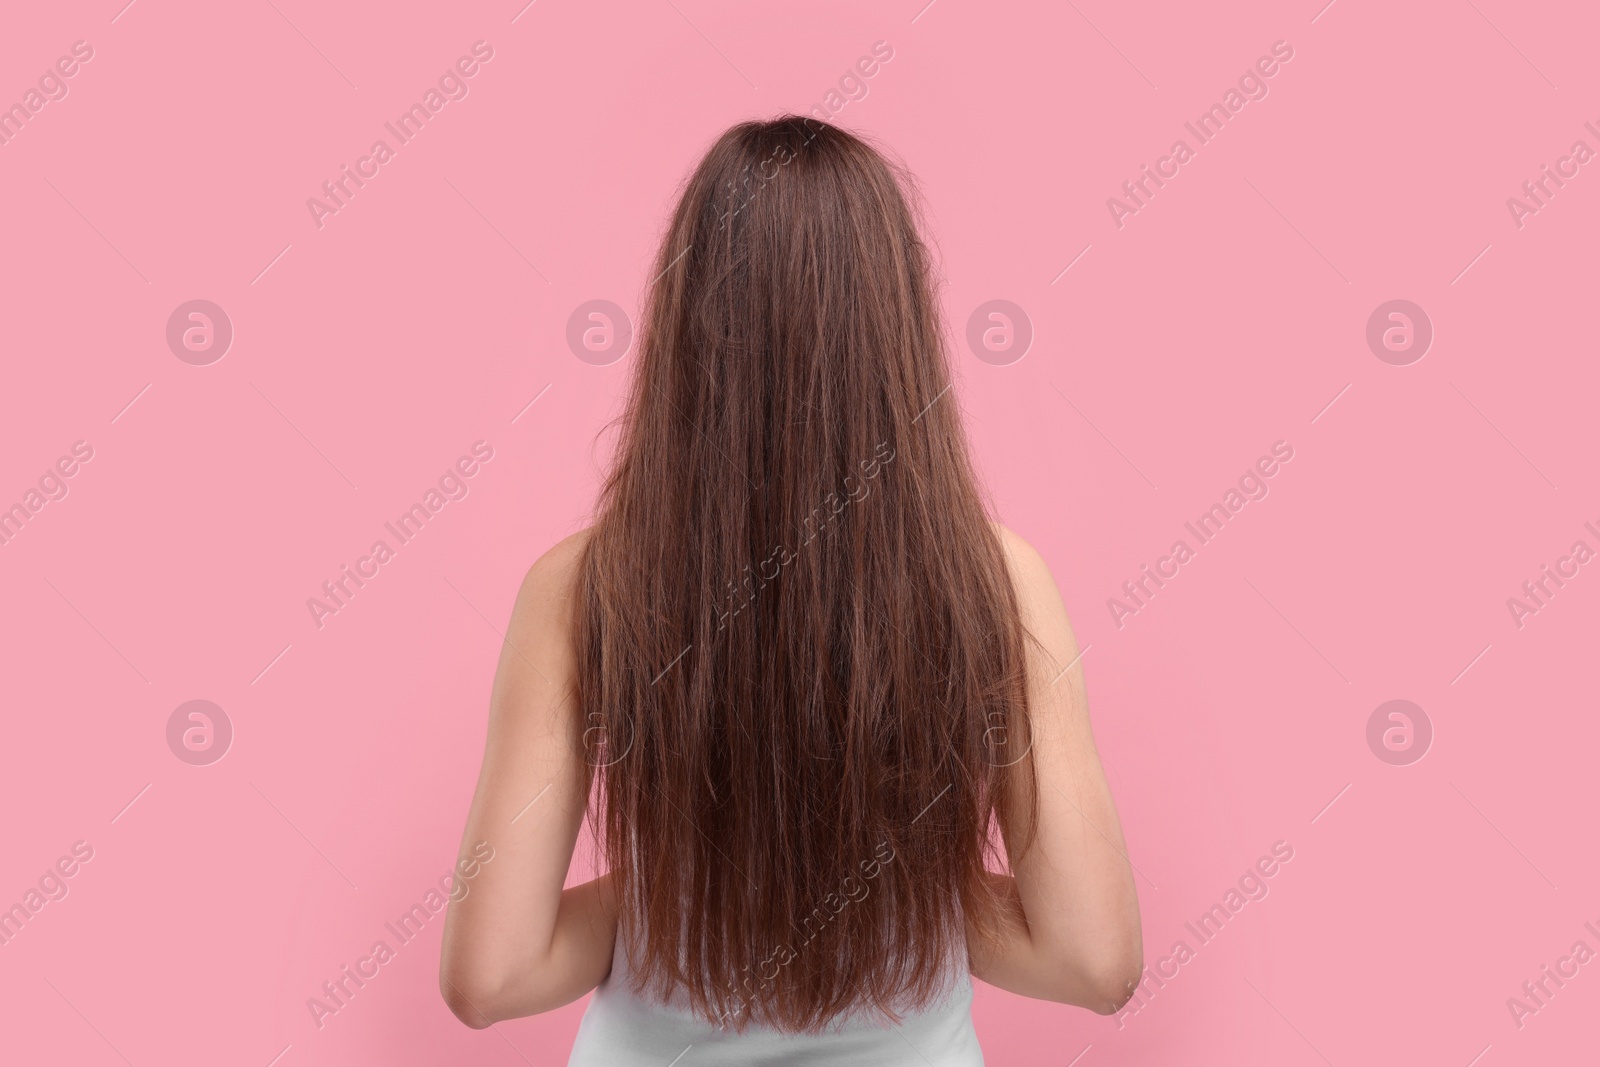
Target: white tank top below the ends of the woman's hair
x=622, y=1029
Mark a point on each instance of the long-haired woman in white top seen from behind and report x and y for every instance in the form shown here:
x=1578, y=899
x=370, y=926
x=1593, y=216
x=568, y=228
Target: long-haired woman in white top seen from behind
x=814, y=700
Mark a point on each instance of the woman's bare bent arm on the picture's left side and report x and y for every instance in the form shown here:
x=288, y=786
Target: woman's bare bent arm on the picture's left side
x=516, y=943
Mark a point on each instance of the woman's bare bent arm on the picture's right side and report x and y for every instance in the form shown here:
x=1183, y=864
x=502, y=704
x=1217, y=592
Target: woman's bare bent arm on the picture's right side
x=1073, y=932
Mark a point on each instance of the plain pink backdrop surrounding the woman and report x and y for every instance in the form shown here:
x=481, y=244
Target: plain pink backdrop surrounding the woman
x=426, y=314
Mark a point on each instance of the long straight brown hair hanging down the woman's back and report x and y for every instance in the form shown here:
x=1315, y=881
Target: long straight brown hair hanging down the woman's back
x=801, y=657
